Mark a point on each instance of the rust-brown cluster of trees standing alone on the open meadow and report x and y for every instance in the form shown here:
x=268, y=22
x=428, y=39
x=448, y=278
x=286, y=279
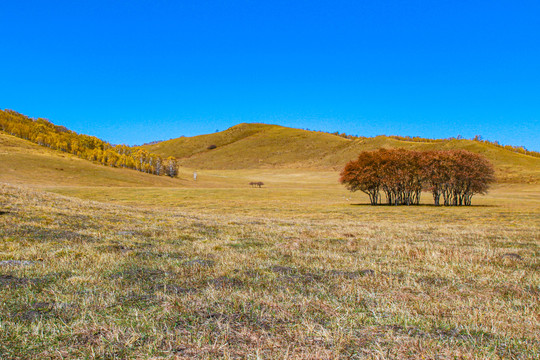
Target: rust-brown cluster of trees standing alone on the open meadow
x=452, y=176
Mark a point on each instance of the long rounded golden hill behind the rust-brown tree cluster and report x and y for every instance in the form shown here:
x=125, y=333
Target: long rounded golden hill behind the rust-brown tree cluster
x=260, y=146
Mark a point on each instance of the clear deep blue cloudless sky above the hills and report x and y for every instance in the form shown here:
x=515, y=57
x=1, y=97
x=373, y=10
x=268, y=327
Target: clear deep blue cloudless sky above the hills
x=136, y=71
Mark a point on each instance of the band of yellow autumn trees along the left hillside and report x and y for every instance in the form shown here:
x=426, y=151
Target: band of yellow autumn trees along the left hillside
x=45, y=133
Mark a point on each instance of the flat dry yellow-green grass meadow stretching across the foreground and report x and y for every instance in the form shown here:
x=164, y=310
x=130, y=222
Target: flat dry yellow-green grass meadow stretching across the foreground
x=300, y=268
